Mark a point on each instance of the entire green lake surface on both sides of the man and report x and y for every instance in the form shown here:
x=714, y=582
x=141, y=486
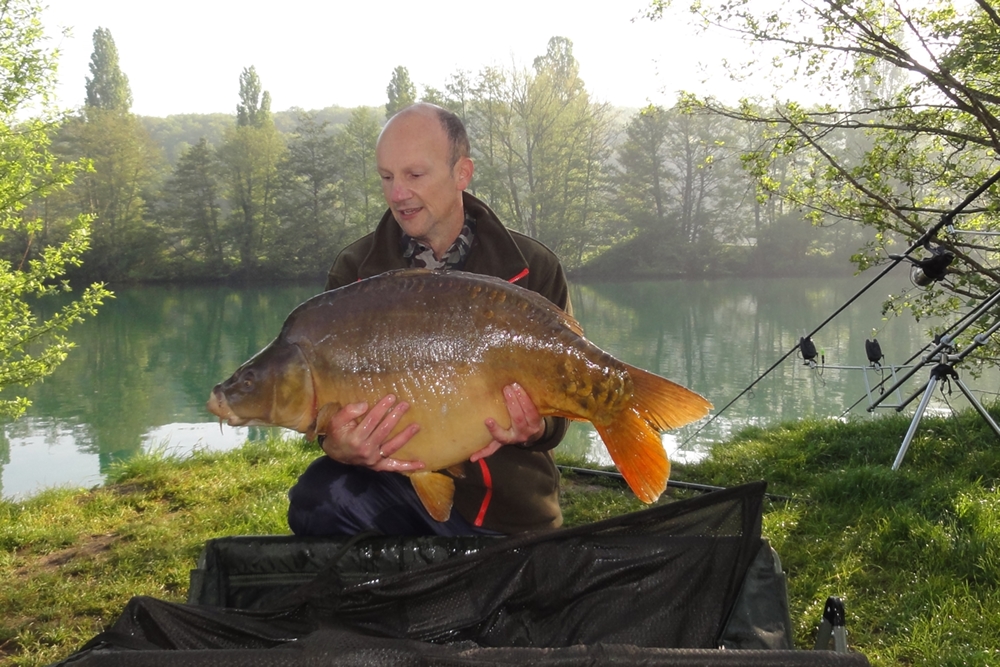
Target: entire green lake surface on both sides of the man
x=143, y=368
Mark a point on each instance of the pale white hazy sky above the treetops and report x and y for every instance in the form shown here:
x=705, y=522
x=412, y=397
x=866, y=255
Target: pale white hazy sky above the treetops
x=186, y=56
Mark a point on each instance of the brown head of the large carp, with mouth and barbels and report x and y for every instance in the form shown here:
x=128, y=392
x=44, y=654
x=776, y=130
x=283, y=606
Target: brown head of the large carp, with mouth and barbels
x=273, y=388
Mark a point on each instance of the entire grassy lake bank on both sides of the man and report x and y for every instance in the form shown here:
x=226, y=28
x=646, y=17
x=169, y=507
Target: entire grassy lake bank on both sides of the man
x=914, y=553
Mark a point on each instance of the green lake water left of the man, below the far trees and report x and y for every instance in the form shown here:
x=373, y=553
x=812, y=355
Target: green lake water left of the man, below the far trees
x=139, y=378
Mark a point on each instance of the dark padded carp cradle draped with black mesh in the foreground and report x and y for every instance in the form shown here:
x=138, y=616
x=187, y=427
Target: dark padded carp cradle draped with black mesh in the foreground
x=649, y=588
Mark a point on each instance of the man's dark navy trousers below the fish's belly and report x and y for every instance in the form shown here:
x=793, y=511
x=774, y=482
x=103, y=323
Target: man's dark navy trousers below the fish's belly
x=332, y=499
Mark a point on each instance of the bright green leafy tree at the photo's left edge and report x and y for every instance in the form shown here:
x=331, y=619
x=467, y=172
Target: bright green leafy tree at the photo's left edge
x=31, y=346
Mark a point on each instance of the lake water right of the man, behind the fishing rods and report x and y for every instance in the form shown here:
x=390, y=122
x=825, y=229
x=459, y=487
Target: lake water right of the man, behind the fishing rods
x=719, y=337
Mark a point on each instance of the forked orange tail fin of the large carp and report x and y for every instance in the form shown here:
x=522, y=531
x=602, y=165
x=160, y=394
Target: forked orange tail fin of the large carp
x=633, y=438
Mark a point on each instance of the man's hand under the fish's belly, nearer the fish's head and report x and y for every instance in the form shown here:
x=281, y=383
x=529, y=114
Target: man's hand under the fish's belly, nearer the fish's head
x=356, y=435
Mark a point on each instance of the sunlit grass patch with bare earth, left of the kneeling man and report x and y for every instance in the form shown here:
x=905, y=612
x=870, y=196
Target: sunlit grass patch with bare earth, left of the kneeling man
x=70, y=560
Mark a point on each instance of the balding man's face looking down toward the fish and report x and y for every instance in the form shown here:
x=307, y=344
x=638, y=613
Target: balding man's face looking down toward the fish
x=420, y=185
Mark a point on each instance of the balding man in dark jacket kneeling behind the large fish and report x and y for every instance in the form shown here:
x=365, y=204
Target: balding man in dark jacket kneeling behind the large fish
x=510, y=486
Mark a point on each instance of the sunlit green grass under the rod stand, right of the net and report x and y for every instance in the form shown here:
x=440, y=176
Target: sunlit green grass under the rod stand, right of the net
x=915, y=553
